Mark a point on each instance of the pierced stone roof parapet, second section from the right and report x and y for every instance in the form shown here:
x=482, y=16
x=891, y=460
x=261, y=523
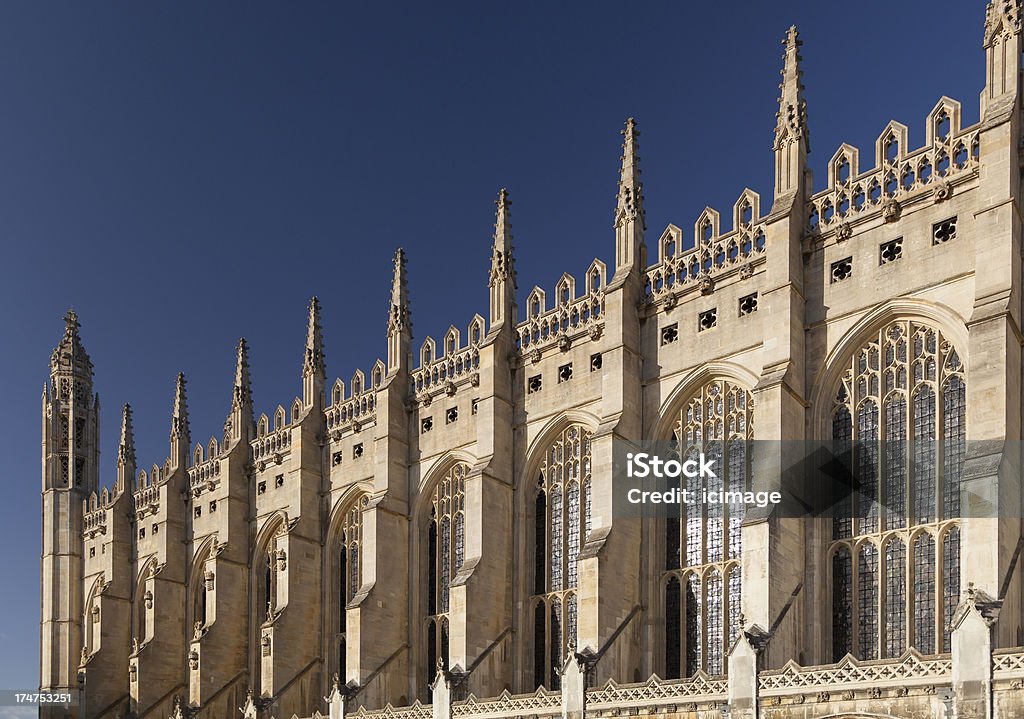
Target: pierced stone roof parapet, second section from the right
x=712, y=255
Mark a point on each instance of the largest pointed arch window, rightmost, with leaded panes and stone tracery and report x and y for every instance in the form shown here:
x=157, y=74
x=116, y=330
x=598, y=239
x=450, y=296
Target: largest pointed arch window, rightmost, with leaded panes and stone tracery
x=901, y=407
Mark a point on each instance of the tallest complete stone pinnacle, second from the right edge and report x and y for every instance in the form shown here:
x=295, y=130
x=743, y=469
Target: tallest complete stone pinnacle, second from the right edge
x=792, y=137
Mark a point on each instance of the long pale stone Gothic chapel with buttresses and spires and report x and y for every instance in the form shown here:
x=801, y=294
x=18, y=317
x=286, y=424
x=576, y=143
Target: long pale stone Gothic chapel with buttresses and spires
x=436, y=538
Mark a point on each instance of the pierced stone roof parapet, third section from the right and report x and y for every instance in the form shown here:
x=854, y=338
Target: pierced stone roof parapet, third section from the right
x=572, y=316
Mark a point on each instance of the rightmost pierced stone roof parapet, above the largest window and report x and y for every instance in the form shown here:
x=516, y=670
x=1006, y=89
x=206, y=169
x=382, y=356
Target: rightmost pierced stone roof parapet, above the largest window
x=951, y=156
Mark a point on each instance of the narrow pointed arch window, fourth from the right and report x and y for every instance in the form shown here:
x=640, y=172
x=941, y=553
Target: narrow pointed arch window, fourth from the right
x=446, y=555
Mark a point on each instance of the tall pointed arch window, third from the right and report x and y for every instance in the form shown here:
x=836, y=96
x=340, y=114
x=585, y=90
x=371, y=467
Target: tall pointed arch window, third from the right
x=561, y=525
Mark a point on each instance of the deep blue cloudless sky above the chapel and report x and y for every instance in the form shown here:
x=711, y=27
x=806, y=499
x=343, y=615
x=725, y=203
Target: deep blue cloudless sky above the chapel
x=186, y=174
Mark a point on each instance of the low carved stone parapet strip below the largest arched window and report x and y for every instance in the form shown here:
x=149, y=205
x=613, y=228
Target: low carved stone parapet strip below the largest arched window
x=911, y=669
